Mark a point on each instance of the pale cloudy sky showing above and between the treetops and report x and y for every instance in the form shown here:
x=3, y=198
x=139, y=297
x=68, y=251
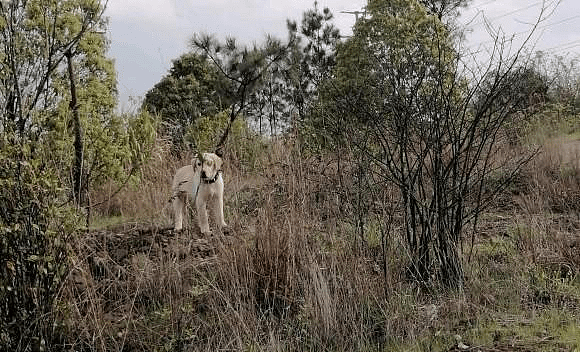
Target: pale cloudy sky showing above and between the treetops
x=146, y=35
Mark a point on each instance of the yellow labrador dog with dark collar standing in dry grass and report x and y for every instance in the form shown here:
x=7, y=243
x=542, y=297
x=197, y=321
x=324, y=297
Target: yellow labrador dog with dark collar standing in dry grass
x=203, y=181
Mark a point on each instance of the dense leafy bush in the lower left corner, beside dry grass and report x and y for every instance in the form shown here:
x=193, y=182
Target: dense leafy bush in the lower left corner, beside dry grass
x=34, y=230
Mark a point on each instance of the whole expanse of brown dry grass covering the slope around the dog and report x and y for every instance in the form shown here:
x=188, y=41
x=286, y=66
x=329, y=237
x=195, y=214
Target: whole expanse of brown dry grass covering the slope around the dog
x=294, y=275
